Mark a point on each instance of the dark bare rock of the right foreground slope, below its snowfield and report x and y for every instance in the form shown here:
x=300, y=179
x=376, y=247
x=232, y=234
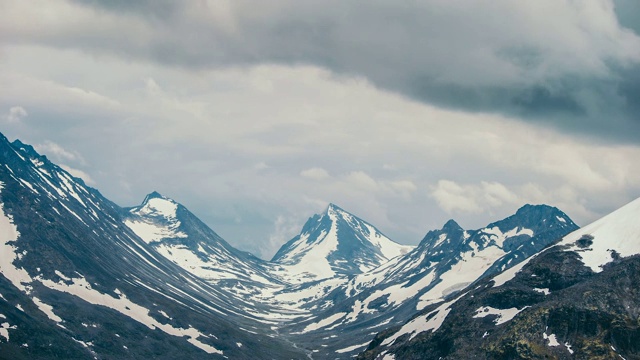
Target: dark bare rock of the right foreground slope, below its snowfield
x=564, y=310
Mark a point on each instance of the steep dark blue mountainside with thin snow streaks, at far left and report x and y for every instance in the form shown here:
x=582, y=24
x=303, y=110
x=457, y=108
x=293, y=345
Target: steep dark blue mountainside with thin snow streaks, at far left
x=77, y=283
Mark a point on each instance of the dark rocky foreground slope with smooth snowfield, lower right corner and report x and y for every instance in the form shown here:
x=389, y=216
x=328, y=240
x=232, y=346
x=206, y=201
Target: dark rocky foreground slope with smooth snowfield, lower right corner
x=579, y=298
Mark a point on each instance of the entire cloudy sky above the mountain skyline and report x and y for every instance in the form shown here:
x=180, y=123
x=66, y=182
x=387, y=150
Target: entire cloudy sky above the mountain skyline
x=256, y=115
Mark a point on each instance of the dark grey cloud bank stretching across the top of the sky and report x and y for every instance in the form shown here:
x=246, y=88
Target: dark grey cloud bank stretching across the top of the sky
x=476, y=57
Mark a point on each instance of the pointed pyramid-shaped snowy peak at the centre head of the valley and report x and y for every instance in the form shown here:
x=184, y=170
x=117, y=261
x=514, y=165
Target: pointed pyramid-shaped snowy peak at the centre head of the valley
x=336, y=243
